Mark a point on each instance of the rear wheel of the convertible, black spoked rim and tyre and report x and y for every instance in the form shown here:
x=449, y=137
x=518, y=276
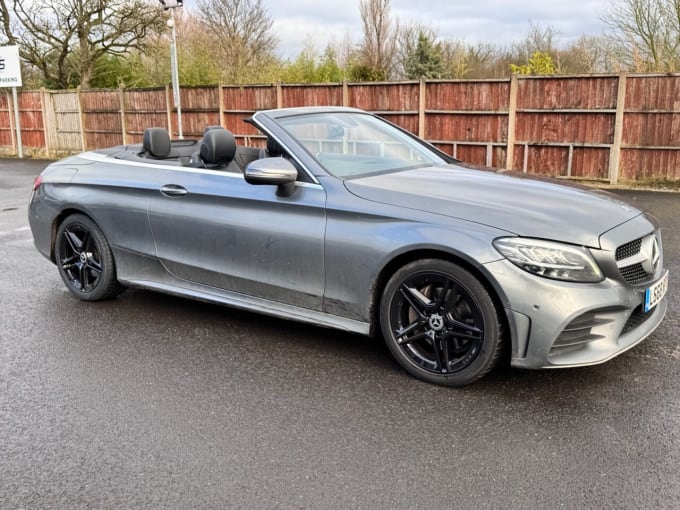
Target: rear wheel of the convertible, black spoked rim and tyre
x=84, y=259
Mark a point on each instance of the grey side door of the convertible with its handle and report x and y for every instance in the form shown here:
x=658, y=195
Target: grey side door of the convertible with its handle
x=215, y=229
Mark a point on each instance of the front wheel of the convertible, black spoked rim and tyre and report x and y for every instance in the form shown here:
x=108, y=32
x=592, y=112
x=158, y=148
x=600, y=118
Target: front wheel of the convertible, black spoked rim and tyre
x=440, y=323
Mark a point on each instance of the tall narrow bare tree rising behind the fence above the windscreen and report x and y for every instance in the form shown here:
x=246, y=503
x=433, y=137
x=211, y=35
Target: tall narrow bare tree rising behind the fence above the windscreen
x=379, y=46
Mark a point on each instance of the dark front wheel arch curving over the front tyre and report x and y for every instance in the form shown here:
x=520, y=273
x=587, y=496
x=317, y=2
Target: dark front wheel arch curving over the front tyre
x=400, y=260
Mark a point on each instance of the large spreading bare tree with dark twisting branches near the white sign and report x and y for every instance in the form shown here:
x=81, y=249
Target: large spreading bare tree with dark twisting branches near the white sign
x=65, y=39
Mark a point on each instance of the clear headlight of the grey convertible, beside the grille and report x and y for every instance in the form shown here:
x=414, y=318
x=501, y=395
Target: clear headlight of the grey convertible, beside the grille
x=550, y=259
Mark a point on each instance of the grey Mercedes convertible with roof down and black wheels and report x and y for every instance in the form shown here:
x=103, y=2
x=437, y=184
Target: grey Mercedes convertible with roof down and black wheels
x=348, y=221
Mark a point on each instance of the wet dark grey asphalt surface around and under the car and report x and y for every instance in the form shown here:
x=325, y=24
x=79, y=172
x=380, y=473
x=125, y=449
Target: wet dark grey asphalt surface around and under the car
x=149, y=401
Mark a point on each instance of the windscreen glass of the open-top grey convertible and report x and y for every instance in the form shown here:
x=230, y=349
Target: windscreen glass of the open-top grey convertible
x=350, y=145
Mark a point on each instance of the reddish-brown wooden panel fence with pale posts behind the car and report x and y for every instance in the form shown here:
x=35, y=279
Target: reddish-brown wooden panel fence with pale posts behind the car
x=598, y=127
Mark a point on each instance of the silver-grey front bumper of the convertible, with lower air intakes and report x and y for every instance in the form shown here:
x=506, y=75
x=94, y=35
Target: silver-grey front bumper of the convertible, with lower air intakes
x=557, y=324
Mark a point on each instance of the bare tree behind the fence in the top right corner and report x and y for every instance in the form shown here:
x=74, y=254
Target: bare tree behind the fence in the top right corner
x=648, y=33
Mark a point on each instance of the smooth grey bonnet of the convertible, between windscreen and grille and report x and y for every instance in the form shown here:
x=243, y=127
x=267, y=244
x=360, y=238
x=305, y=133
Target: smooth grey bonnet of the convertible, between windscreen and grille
x=525, y=206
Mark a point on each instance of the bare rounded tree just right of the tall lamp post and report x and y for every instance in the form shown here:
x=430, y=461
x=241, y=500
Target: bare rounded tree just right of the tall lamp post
x=242, y=29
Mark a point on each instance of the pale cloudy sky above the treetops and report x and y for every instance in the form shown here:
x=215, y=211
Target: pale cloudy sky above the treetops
x=471, y=21
